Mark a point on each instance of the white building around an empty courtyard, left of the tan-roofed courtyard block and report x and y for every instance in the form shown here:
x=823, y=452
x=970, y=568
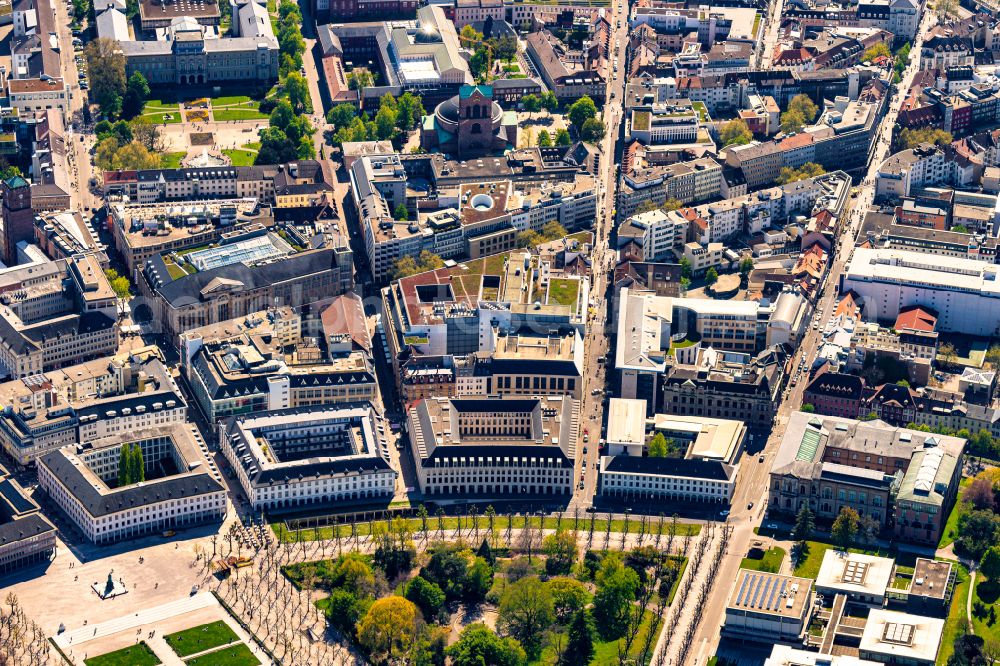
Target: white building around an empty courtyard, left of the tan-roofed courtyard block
x=309, y=457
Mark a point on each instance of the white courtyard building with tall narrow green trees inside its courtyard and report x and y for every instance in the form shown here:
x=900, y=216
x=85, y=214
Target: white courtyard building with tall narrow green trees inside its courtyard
x=182, y=487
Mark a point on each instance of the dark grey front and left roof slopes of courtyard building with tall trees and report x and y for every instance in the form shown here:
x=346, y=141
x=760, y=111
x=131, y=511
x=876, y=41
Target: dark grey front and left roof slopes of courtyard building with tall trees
x=193, y=484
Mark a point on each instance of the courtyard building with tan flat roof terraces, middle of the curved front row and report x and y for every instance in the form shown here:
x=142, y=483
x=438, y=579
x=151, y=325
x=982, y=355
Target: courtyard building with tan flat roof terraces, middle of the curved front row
x=502, y=447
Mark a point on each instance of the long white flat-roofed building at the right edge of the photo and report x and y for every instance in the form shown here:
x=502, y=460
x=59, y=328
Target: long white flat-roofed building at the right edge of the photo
x=964, y=292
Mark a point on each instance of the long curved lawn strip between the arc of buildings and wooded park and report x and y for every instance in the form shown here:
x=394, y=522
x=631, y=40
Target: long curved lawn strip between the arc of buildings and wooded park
x=499, y=525
